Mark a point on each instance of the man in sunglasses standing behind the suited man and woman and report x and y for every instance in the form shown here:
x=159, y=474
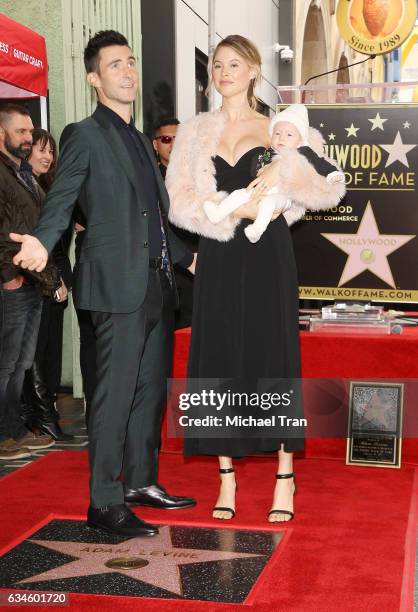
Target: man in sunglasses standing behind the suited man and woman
x=164, y=137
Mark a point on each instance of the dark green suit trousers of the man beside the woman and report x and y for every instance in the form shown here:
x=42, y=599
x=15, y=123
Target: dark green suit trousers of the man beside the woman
x=134, y=352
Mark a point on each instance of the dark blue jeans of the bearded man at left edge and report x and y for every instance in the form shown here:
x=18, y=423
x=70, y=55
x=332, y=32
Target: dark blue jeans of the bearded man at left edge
x=20, y=314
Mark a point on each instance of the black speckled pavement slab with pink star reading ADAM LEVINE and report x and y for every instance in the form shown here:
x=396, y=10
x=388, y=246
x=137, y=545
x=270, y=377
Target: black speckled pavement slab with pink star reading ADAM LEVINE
x=181, y=562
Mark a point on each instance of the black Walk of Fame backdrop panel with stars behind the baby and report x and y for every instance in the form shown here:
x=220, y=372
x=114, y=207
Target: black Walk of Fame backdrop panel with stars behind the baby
x=366, y=248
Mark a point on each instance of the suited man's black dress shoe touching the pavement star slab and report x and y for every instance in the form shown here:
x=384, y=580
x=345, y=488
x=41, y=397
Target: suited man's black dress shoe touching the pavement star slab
x=121, y=520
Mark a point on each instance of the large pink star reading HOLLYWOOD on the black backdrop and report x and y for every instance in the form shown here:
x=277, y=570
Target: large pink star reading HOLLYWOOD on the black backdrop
x=368, y=249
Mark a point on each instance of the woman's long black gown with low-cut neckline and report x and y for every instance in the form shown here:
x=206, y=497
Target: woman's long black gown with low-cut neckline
x=245, y=316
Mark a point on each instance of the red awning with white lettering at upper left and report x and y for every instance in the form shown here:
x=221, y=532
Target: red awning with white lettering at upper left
x=23, y=61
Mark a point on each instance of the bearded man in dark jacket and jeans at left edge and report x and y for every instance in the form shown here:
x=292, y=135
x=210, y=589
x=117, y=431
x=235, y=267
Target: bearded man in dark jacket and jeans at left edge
x=21, y=200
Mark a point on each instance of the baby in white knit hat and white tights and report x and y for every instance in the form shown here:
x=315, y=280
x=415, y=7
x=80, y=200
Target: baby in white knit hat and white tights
x=288, y=129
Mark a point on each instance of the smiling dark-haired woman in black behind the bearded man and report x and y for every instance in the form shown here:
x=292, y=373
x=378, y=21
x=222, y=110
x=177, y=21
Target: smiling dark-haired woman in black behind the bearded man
x=43, y=379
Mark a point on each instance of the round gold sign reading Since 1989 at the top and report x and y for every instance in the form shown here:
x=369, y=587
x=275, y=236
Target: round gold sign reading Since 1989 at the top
x=374, y=27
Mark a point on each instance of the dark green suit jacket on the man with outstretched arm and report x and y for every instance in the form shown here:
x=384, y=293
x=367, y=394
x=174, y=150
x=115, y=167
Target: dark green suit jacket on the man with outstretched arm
x=94, y=168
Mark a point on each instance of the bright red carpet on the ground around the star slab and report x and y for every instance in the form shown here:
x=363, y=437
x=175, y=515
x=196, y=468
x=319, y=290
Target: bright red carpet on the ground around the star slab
x=344, y=551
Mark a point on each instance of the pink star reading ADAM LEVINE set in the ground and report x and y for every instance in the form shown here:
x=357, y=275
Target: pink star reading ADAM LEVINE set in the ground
x=160, y=560
